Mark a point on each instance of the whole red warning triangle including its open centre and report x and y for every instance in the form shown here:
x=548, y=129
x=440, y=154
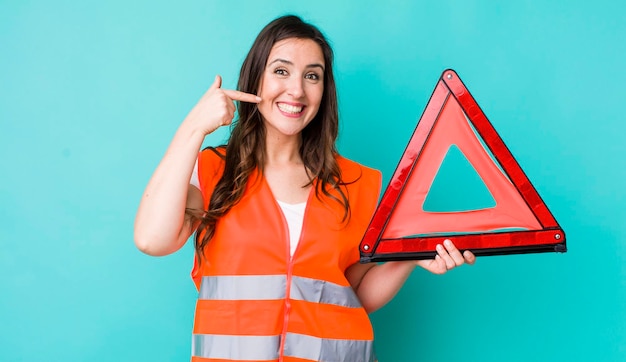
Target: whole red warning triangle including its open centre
x=408, y=224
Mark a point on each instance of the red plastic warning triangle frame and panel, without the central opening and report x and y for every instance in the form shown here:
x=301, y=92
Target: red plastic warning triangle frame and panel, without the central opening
x=540, y=231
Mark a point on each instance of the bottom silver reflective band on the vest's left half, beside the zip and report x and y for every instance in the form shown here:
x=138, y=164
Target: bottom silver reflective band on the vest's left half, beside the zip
x=239, y=348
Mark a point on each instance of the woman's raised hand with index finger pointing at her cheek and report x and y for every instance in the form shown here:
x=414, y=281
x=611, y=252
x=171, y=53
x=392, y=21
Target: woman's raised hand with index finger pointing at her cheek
x=217, y=107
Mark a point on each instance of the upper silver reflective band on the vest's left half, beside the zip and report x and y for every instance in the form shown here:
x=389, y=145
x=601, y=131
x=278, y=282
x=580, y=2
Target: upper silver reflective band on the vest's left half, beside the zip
x=243, y=287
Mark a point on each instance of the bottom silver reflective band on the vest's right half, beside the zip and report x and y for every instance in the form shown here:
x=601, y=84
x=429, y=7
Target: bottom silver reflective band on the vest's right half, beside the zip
x=320, y=349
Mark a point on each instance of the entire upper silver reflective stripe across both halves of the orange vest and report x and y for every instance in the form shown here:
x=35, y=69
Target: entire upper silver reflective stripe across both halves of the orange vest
x=272, y=287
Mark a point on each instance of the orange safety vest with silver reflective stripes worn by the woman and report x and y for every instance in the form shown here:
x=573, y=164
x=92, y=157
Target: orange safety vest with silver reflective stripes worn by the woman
x=256, y=302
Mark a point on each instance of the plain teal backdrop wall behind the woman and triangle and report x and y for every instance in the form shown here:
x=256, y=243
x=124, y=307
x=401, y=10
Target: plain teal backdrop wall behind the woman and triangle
x=91, y=93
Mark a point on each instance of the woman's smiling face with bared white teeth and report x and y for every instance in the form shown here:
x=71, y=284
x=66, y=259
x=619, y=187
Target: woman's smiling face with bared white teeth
x=291, y=86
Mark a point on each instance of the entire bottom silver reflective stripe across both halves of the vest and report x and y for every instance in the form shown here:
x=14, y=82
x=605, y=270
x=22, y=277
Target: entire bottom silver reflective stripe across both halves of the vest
x=259, y=348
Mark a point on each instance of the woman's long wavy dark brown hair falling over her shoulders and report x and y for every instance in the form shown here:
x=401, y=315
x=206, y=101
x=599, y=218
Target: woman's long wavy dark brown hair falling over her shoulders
x=245, y=151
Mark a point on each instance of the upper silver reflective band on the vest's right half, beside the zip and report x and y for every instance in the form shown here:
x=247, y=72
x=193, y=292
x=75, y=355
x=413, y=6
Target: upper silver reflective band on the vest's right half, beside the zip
x=320, y=291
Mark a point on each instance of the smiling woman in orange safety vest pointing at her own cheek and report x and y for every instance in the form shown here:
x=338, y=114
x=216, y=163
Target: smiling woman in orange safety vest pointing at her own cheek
x=277, y=243
